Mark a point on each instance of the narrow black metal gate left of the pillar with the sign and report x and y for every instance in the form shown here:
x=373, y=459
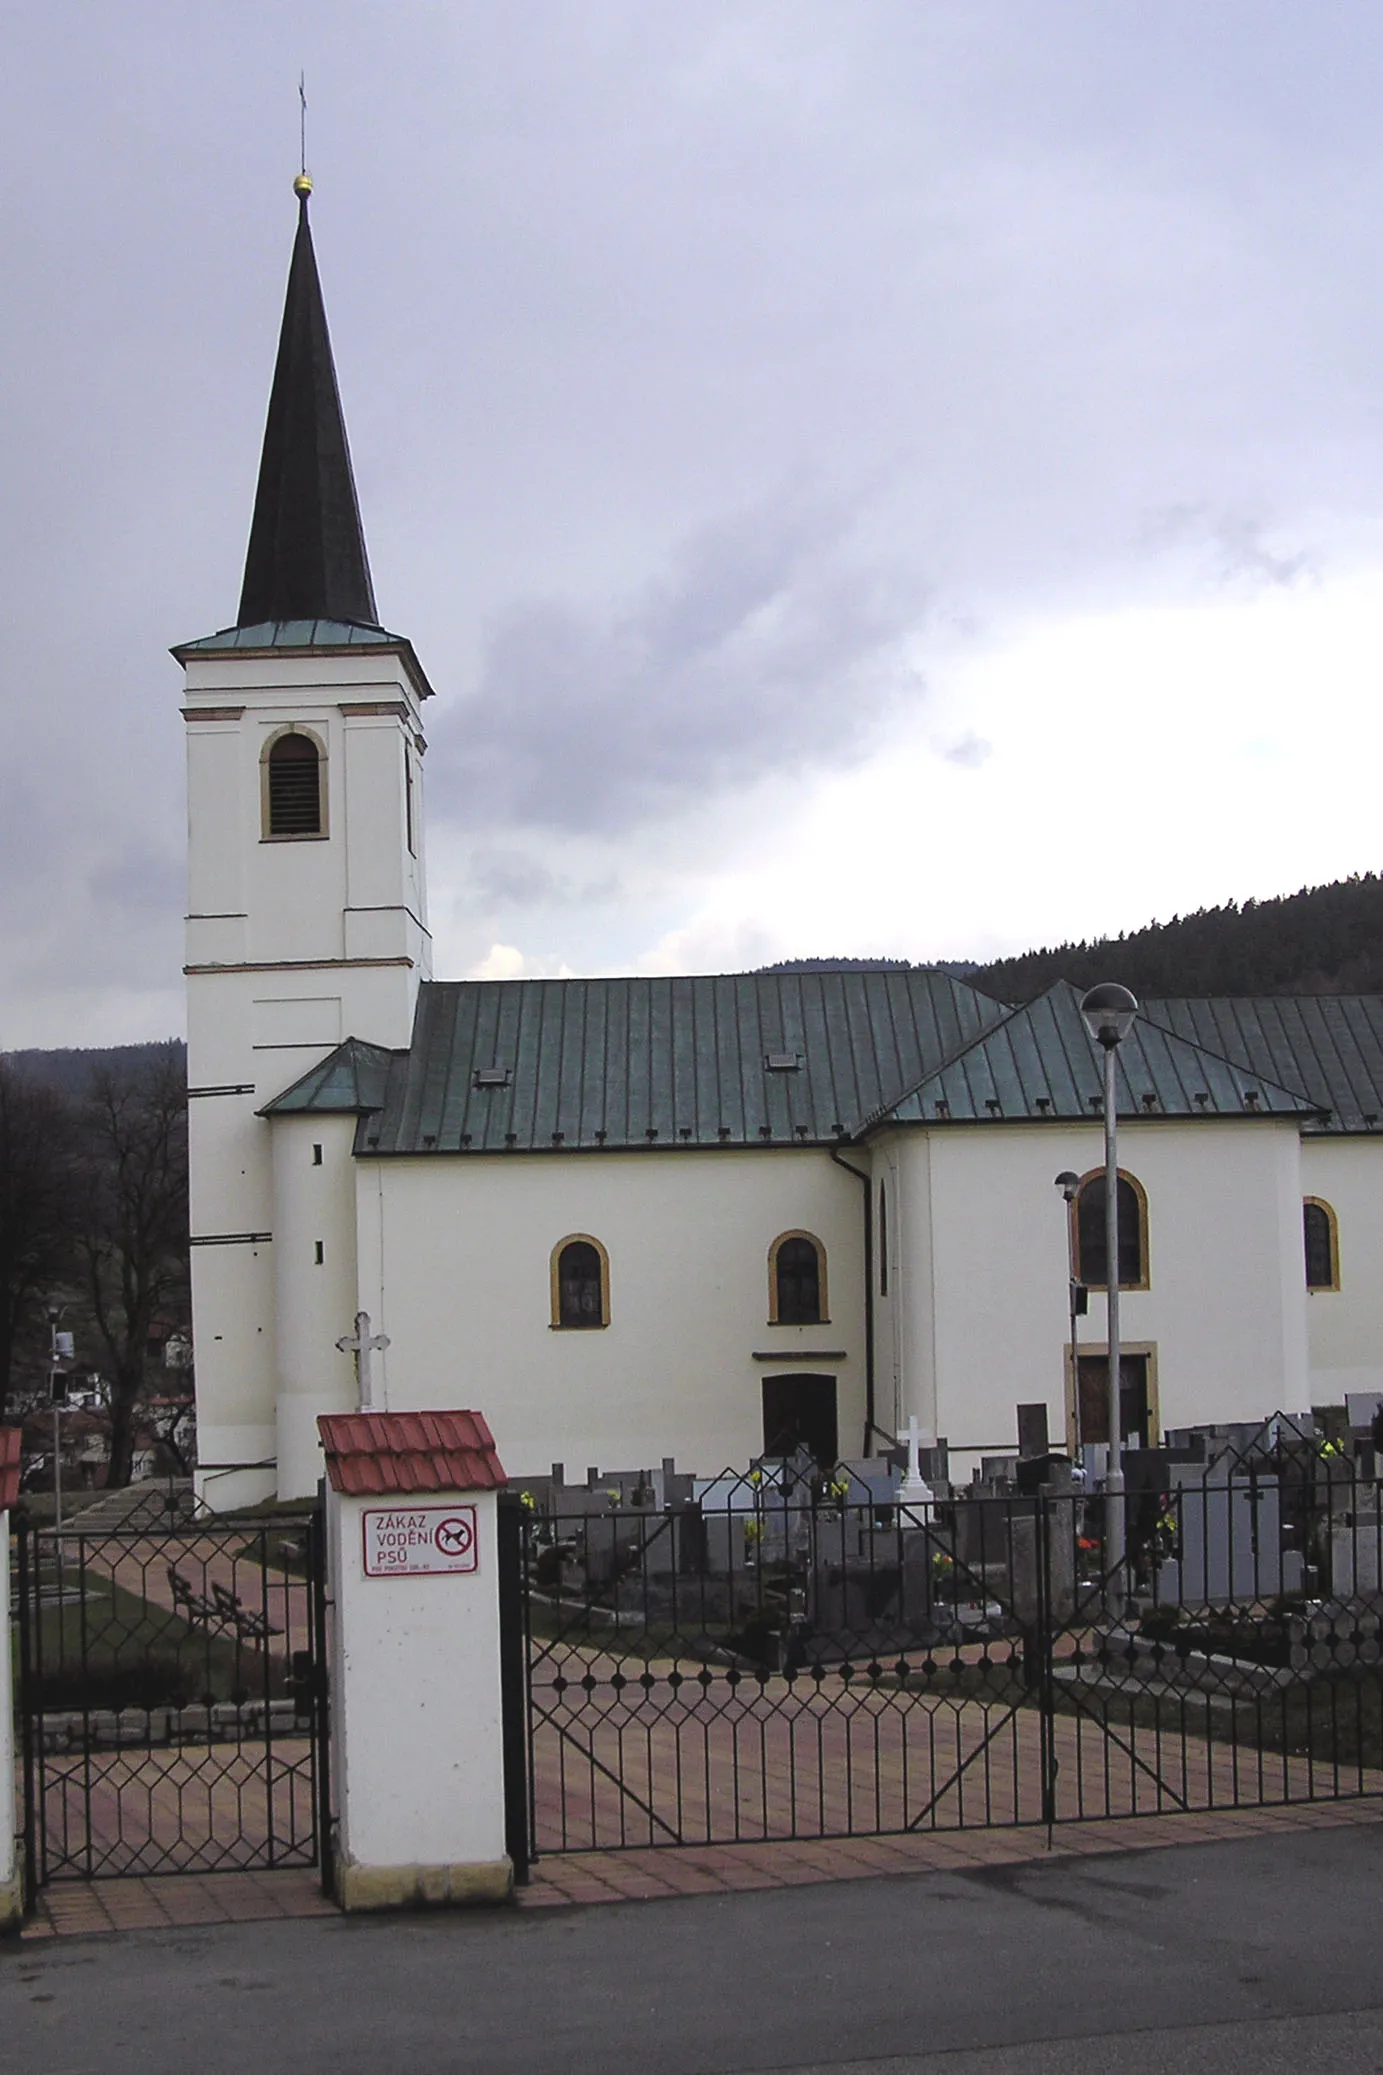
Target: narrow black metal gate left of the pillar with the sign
x=173, y=1698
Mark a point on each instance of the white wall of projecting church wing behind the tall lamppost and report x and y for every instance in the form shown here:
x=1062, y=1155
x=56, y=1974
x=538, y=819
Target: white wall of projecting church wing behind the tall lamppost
x=1224, y=1312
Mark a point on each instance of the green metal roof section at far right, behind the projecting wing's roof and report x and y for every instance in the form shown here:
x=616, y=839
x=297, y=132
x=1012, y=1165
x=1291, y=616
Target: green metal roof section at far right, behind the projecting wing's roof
x=1328, y=1045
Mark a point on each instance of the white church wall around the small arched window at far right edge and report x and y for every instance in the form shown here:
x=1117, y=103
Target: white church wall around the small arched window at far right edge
x=1347, y=1327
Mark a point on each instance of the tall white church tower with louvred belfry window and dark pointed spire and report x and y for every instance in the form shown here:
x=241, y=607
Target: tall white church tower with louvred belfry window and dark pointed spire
x=308, y=918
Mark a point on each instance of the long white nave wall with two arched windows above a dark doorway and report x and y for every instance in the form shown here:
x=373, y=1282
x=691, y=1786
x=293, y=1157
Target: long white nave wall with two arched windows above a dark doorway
x=455, y=1267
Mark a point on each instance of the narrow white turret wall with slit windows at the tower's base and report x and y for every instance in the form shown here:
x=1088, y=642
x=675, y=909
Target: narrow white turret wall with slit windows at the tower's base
x=316, y=1288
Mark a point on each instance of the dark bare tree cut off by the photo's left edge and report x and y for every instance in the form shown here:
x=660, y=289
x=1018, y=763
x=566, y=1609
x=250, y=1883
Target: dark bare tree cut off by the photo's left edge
x=36, y=1207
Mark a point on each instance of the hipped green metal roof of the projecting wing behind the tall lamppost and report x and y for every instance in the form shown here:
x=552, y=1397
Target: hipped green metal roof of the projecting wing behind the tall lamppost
x=1040, y=1063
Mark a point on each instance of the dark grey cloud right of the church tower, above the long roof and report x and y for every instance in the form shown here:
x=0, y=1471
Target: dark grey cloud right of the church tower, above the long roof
x=766, y=648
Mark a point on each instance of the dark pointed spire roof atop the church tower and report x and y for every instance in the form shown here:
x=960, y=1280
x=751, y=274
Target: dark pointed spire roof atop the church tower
x=306, y=547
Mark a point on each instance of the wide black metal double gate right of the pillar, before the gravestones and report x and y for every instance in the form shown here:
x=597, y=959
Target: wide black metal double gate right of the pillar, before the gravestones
x=789, y=1659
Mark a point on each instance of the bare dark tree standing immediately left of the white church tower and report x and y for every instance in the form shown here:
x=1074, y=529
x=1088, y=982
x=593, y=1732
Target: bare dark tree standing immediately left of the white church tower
x=134, y=1223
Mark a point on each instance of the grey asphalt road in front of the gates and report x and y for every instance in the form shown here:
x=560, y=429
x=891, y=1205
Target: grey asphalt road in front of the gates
x=1258, y=1958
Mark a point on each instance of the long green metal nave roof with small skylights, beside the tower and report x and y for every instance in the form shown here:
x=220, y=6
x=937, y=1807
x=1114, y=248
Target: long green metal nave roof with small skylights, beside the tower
x=741, y=1059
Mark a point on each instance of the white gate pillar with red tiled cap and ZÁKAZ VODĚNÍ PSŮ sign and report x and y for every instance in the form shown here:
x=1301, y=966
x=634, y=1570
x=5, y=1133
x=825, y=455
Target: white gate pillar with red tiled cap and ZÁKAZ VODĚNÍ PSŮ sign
x=414, y=1584
